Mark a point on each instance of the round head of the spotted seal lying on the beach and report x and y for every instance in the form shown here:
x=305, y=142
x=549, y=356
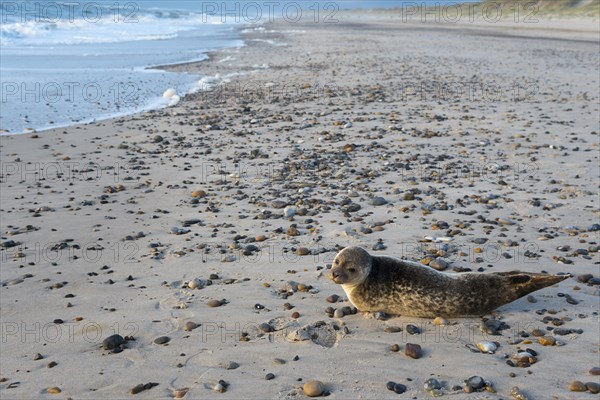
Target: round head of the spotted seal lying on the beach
x=351, y=266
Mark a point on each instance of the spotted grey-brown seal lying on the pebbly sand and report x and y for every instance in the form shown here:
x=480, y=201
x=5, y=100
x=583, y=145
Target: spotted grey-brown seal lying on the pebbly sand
x=386, y=284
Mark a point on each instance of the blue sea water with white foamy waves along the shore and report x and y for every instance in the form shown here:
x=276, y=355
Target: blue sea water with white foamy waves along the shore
x=67, y=62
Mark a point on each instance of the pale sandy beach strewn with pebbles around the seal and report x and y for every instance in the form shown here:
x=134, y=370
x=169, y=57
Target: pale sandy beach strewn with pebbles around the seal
x=202, y=233
